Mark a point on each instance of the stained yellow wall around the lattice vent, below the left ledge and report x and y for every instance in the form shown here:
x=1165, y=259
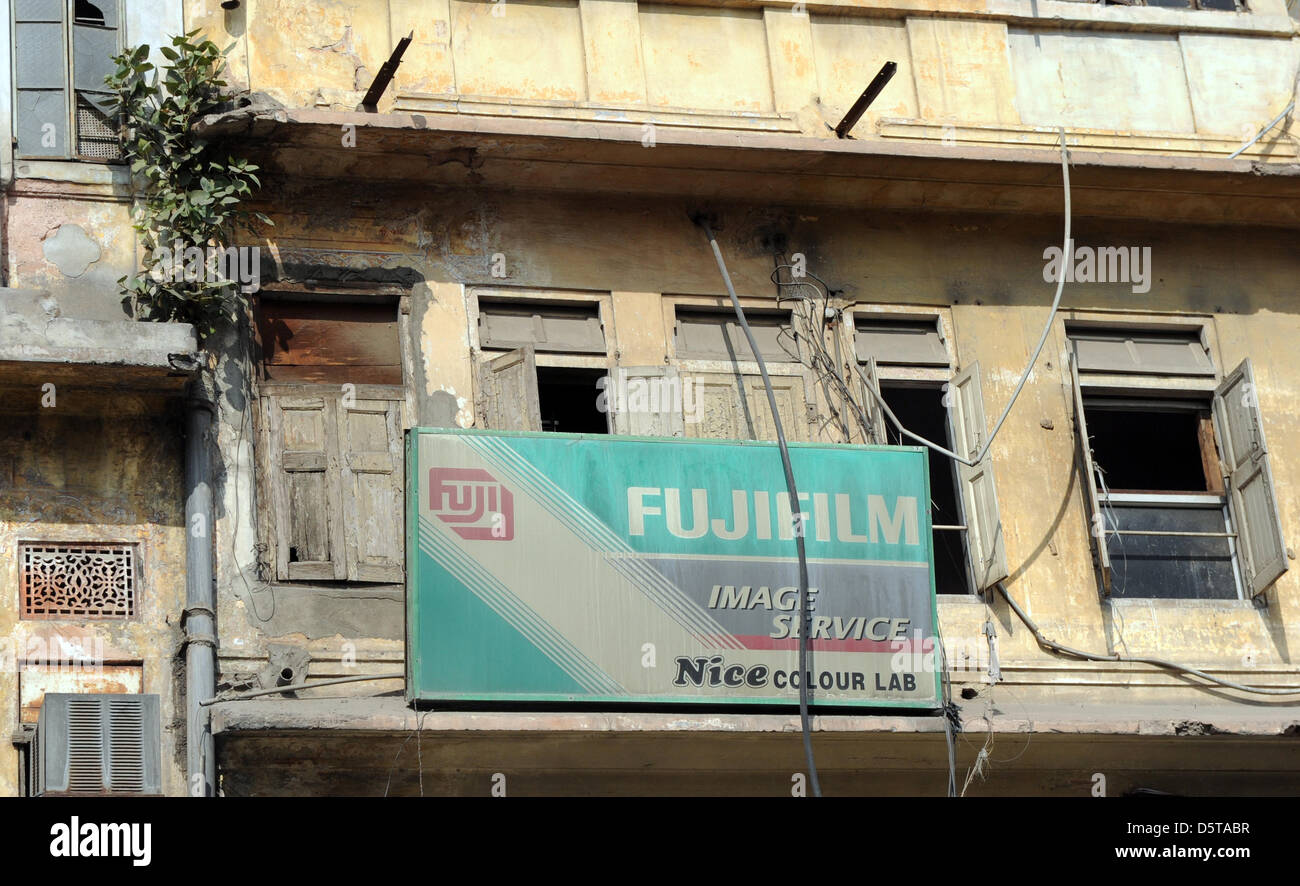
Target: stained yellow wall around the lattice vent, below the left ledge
x=96, y=467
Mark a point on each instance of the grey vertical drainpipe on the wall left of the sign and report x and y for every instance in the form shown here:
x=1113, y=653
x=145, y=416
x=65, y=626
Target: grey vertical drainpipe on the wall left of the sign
x=200, y=618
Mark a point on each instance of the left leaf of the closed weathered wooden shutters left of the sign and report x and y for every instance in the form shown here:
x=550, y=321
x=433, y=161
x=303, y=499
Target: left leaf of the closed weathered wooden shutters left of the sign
x=304, y=474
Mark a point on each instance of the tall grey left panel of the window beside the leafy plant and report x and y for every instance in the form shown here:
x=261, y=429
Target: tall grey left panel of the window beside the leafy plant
x=41, y=79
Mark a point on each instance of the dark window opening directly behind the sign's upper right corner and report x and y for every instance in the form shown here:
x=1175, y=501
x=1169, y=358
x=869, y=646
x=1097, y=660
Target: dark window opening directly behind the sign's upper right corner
x=921, y=410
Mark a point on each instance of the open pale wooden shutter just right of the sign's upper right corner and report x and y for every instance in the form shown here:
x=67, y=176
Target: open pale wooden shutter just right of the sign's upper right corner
x=983, y=524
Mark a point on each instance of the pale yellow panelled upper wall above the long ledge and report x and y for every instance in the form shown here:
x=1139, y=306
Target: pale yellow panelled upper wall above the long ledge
x=1129, y=79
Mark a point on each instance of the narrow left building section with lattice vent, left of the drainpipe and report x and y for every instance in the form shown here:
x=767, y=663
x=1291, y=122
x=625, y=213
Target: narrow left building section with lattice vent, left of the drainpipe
x=92, y=481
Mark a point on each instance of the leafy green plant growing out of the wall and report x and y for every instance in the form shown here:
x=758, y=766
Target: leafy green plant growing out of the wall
x=189, y=193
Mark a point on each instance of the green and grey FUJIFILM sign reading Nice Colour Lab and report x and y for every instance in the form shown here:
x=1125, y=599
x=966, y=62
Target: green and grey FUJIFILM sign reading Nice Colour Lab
x=565, y=568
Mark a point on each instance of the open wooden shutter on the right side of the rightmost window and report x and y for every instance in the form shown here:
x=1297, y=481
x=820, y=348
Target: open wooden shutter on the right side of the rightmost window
x=1253, y=497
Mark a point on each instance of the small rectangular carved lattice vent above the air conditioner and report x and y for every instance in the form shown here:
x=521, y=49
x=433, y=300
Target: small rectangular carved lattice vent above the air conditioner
x=79, y=581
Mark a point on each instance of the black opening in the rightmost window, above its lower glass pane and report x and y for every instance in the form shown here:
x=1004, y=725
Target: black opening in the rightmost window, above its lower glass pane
x=1154, y=450
